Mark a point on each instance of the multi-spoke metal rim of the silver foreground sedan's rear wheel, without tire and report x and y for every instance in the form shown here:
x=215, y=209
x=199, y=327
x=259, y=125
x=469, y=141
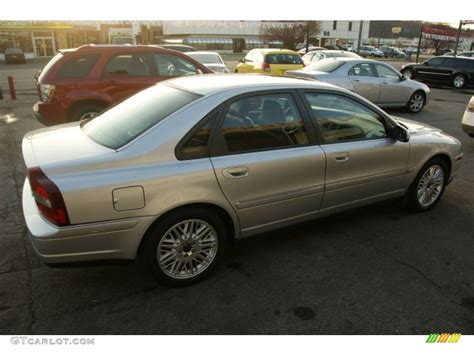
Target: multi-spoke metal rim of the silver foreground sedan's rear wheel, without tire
x=187, y=249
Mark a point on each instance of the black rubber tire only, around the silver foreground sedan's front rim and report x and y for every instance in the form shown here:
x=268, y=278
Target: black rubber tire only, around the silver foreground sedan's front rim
x=413, y=202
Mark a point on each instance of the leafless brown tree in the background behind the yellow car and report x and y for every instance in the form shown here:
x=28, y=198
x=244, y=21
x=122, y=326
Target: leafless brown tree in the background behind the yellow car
x=290, y=32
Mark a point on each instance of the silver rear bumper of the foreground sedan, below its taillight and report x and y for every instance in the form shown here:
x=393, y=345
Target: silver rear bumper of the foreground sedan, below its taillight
x=118, y=239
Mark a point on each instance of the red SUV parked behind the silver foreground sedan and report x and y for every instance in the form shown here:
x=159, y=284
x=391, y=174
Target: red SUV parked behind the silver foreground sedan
x=79, y=83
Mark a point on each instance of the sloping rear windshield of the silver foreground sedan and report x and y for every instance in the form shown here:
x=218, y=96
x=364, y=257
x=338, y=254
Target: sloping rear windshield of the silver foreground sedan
x=126, y=121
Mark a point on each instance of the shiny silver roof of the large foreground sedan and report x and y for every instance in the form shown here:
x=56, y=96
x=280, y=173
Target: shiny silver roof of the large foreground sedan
x=214, y=83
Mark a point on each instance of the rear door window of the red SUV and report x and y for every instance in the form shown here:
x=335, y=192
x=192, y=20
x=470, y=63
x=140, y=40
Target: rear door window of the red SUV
x=130, y=64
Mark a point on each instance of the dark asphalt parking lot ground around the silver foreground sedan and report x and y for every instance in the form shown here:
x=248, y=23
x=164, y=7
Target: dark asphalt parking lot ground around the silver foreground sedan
x=375, y=270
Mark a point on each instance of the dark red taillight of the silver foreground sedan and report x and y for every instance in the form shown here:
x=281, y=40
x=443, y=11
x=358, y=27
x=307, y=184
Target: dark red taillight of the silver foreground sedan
x=48, y=198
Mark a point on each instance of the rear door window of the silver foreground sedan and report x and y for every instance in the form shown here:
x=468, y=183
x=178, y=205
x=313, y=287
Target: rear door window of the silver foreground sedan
x=263, y=122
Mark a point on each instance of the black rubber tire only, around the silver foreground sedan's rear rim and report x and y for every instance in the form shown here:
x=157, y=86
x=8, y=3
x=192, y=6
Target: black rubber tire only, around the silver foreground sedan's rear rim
x=159, y=231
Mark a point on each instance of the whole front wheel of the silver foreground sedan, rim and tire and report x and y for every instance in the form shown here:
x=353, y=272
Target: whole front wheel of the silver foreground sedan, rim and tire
x=428, y=186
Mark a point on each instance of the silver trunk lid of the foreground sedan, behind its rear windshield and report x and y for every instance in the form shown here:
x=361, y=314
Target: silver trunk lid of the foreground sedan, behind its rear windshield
x=59, y=144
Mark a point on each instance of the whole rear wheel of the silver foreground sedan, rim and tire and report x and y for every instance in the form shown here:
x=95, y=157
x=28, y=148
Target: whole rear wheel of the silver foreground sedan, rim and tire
x=185, y=246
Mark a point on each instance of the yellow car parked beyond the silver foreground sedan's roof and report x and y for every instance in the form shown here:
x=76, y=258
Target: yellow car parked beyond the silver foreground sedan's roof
x=269, y=61
